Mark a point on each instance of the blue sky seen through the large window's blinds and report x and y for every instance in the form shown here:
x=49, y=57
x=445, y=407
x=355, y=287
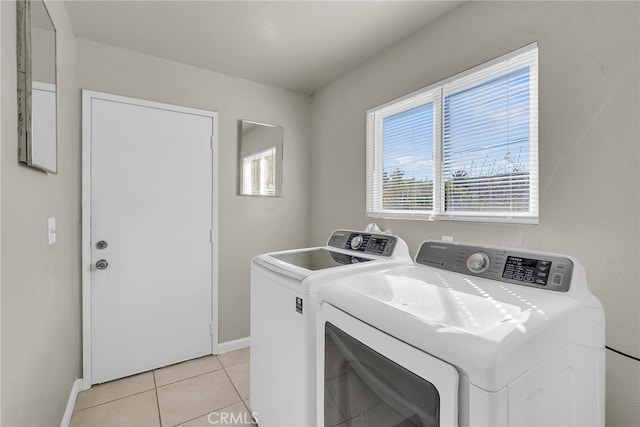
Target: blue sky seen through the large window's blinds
x=486, y=132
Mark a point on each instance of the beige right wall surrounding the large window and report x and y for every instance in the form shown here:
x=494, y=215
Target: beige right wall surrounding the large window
x=589, y=157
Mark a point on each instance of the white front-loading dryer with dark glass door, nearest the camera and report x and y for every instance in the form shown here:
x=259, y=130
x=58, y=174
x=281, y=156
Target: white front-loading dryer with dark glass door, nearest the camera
x=466, y=336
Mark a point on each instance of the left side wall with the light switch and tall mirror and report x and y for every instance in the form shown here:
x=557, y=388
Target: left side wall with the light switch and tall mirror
x=41, y=331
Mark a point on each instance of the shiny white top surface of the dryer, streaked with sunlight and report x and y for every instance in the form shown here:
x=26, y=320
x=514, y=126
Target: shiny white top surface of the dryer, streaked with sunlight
x=492, y=331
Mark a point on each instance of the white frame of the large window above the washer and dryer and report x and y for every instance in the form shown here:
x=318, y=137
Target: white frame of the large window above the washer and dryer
x=436, y=93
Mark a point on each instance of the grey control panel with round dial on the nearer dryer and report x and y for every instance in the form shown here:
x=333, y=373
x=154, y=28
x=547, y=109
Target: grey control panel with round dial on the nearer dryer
x=544, y=271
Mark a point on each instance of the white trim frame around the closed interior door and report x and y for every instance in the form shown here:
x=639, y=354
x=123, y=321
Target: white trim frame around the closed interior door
x=87, y=97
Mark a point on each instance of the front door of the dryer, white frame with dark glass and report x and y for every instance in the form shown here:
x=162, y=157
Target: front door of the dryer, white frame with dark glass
x=363, y=386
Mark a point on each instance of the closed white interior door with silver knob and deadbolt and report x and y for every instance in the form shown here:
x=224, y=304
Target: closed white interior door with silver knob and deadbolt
x=151, y=250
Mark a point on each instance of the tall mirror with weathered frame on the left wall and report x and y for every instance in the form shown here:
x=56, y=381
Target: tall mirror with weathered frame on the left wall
x=36, y=47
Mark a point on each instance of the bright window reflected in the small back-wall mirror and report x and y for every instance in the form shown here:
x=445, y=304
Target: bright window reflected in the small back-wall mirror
x=259, y=173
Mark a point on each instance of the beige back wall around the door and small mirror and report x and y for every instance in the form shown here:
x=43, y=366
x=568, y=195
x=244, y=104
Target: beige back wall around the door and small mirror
x=248, y=225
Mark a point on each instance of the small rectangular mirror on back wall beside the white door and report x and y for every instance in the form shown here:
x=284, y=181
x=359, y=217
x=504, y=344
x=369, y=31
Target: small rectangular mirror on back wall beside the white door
x=260, y=168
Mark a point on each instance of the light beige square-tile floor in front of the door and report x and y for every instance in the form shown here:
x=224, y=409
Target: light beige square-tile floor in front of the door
x=201, y=392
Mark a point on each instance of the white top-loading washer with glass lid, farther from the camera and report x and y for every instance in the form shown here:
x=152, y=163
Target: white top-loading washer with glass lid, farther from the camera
x=284, y=286
